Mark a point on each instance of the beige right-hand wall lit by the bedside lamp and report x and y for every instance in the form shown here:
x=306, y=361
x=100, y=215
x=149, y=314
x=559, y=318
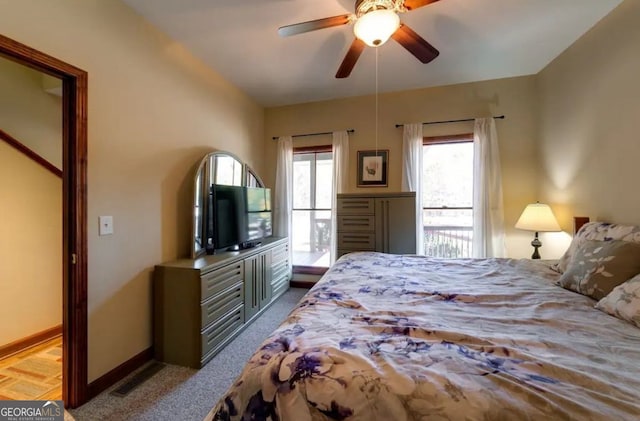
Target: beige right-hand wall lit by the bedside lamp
x=589, y=110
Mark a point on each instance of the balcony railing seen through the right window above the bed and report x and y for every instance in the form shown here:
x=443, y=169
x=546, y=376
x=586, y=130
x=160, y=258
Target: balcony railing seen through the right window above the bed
x=448, y=241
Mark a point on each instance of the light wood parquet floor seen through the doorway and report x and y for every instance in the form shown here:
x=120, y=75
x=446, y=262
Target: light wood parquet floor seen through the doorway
x=35, y=373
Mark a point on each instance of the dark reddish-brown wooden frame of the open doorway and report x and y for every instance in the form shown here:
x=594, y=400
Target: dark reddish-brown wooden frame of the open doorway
x=74, y=211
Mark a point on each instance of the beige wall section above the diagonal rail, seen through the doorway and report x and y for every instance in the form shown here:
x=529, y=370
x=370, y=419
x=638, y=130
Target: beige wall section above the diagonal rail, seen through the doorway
x=28, y=113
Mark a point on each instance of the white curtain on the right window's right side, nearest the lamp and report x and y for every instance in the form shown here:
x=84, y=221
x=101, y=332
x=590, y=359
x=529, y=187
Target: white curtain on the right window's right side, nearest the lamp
x=488, y=212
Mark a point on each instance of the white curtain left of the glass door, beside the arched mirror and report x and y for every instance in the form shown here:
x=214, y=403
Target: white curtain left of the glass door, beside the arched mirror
x=284, y=189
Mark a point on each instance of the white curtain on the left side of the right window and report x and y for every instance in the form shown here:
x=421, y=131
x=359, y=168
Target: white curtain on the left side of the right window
x=412, y=174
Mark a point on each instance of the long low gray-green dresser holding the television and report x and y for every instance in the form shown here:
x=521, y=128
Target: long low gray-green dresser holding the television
x=201, y=305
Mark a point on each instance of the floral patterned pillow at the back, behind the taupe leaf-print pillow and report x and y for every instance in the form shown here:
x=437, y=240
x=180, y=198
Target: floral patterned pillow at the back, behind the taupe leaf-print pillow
x=597, y=231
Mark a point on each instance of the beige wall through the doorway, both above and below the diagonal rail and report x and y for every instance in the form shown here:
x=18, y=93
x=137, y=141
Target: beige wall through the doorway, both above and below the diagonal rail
x=31, y=219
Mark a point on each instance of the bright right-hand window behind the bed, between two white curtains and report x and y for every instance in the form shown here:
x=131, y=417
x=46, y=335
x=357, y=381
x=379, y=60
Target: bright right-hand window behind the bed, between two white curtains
x=448, y=195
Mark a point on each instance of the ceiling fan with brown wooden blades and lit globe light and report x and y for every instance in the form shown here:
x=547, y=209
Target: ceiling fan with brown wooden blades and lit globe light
x=375, y=22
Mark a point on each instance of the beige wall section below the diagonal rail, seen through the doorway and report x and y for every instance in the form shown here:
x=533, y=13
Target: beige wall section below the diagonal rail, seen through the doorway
x=31, y=247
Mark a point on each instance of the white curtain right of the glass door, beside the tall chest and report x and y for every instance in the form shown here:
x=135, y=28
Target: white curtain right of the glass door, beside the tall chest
x=340, y=148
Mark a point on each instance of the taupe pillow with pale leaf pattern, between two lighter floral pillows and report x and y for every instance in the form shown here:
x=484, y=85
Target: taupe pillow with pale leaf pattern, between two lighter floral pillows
x=597, y=267
